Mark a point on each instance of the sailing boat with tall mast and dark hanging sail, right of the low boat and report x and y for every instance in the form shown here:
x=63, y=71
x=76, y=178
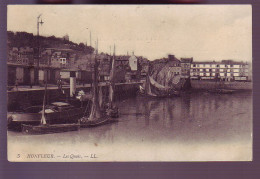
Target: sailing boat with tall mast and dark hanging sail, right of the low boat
x=97, y=115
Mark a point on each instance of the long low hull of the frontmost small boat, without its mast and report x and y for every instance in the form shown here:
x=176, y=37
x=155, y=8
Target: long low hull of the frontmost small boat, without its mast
x=47, y=129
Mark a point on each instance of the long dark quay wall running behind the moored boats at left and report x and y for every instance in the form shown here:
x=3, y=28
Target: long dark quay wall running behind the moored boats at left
x=25, y=98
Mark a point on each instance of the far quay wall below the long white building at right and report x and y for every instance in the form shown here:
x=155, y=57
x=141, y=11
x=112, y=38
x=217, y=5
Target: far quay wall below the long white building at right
x=233, y=85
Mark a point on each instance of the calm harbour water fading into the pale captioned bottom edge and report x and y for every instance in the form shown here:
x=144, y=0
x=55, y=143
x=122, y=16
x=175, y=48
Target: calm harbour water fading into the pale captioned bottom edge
x=197, y=126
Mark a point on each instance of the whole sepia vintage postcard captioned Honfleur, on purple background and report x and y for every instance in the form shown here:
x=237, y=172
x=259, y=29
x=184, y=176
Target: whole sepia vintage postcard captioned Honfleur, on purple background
x=94, y=83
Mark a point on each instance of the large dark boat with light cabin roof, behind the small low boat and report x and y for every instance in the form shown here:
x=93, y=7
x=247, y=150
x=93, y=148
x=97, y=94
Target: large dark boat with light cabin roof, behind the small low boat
x=55, y=113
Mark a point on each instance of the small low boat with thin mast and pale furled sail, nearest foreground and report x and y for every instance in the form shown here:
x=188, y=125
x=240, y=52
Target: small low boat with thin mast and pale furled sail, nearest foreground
x=44, y=127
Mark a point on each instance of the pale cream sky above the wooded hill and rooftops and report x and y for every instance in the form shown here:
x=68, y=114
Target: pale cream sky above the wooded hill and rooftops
x=204, y=32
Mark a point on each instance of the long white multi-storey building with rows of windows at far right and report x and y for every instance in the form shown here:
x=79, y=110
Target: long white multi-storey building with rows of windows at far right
x=226, y=70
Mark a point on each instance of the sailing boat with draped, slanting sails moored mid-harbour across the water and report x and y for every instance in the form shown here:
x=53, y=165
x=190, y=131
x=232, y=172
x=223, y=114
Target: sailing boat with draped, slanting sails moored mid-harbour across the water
x=154, y=89
